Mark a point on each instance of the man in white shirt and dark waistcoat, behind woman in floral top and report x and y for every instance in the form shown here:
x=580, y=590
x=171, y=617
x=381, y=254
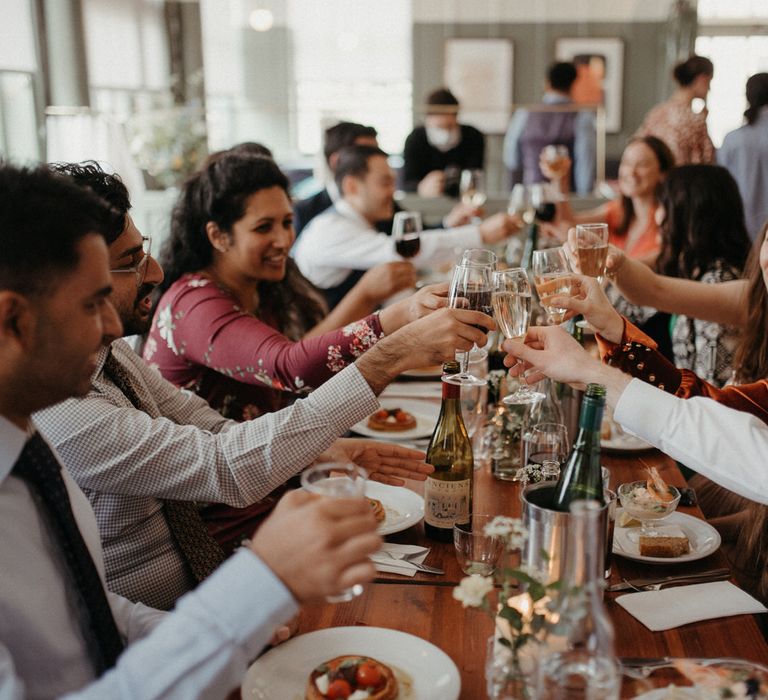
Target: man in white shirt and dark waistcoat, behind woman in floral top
x=342, y=242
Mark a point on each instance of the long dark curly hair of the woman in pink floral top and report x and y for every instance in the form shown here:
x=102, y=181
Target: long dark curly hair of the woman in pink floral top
x=218, y=193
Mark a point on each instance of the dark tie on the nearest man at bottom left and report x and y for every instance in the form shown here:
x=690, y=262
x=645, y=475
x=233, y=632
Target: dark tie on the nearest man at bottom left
x=40, y=469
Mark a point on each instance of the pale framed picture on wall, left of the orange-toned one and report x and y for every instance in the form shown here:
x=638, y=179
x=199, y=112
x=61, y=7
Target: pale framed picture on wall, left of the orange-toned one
x=479, y=73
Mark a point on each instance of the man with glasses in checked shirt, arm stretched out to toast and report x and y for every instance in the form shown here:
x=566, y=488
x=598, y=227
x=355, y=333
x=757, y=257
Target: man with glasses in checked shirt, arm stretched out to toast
x=145, y=451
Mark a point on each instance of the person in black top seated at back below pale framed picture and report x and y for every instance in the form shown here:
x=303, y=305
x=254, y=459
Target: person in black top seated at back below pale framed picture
x=435, y=154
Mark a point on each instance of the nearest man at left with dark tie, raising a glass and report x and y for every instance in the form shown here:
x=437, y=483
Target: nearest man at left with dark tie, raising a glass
x=60, y=631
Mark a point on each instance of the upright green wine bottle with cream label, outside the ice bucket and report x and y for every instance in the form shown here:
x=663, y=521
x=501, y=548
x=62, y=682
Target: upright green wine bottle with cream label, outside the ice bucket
x=448, y=490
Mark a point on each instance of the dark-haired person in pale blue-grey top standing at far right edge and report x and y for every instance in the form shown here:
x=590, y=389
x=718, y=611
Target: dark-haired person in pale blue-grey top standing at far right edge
x=745, y=153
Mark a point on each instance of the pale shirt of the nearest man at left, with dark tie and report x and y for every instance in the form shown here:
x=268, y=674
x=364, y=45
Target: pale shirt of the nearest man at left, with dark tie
x=201, y=650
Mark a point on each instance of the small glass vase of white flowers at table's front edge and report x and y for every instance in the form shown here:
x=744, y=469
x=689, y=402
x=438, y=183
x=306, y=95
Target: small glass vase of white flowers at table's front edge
x=521, y=605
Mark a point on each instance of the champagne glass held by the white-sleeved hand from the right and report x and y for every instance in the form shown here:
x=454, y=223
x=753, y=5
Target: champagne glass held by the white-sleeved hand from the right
x=512, y=310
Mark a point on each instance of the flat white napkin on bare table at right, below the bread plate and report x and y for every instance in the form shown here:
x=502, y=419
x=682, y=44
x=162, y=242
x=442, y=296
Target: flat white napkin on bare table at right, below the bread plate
x=673, y=607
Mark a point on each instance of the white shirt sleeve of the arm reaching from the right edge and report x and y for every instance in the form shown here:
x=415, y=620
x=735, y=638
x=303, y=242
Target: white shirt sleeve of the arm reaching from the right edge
x=728, y=446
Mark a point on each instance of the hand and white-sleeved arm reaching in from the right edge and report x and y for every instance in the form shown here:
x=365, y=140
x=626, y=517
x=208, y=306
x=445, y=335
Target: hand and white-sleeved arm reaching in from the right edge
x=725, y=445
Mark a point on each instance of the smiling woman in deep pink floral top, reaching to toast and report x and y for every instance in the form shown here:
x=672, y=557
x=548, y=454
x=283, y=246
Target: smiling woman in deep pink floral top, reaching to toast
x=238, y=323
